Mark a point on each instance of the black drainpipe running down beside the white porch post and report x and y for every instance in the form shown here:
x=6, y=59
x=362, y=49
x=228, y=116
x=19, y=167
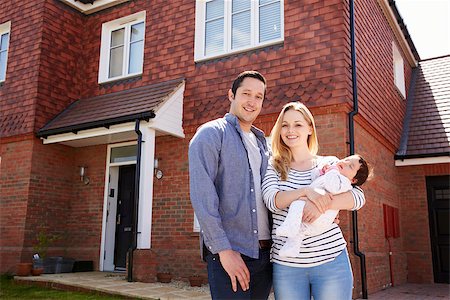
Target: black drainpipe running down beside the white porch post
x=136, y=202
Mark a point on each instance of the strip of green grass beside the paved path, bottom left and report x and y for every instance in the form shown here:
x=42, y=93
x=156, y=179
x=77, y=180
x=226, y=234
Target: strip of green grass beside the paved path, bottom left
x=11, y=290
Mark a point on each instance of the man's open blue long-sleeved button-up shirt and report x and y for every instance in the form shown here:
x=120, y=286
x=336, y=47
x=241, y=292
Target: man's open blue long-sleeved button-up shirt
x=221, y=186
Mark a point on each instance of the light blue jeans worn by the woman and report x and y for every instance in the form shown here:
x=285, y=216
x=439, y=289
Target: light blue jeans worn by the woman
x=331, y=280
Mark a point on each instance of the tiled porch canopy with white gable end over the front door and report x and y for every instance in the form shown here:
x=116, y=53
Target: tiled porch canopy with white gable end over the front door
x=110, y=118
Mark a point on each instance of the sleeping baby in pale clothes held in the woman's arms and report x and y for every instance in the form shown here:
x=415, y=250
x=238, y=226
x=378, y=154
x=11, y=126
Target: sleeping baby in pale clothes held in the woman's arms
x=335, y=179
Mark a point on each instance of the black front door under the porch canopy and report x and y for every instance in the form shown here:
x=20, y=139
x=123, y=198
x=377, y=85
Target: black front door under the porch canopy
x=124, y=217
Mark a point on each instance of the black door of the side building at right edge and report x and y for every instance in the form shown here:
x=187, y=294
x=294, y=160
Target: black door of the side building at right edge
x=438, y=193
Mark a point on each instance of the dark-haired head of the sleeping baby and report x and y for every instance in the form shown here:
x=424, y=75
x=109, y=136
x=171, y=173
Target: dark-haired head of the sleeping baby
x=355, y=168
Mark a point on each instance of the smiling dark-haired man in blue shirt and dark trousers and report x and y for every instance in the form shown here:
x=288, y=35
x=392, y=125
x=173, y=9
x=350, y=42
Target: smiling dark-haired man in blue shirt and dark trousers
x=227, y=160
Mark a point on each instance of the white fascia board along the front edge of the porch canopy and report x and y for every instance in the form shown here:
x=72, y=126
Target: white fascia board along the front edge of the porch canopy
x=89, y=133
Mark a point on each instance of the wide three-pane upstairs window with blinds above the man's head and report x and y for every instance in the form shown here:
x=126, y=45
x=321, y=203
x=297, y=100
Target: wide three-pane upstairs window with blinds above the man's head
x=228, y=26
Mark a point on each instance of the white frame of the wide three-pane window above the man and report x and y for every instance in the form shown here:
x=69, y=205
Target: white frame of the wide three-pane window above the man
x=200, y=15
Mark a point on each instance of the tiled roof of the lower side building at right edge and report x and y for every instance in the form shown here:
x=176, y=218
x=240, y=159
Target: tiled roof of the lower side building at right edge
x=426, y=130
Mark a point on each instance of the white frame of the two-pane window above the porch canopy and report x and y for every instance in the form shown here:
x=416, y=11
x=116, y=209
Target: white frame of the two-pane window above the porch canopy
x=107, y=29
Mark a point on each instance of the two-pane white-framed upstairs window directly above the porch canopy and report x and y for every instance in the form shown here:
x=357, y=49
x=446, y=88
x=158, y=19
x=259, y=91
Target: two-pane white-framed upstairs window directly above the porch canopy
x=122, y=48
